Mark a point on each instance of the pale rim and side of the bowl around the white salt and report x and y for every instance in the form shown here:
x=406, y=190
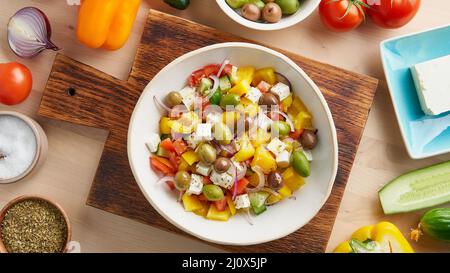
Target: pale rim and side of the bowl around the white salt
x=41, y=146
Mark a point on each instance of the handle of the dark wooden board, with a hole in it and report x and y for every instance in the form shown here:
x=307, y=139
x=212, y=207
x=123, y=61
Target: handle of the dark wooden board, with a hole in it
x=80, y=94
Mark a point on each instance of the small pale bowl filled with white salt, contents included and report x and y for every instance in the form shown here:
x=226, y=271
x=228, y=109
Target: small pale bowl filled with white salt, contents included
x=23, y=146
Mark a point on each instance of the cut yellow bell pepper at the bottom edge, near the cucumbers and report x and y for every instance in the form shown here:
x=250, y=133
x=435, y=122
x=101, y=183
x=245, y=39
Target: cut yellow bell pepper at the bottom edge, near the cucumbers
x=382, y=237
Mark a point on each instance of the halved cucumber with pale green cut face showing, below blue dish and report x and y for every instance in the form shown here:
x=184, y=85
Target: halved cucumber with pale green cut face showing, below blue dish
x=416, y=190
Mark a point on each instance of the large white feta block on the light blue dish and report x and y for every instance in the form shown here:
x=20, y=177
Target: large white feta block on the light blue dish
x=433, y=85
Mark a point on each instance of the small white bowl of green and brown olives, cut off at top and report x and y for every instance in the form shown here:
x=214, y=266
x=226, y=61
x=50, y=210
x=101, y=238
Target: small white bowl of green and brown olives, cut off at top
x=268, y=14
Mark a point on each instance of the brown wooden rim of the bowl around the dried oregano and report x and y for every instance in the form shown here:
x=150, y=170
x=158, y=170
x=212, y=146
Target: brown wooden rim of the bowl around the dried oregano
x=34, y=197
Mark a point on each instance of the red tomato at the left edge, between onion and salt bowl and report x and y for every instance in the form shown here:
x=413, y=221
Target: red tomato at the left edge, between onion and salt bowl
x=16, y=82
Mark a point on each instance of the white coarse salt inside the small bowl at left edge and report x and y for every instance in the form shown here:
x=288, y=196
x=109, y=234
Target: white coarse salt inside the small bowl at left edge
x=18, y=146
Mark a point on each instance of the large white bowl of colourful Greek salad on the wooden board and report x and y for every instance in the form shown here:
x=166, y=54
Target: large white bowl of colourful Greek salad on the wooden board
x=234, y=144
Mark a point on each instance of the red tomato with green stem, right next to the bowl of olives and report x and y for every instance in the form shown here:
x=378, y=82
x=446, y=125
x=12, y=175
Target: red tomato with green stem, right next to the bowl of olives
x=342, y=15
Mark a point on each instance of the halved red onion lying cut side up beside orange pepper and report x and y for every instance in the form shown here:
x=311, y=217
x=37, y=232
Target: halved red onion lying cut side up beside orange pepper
x=29, y=33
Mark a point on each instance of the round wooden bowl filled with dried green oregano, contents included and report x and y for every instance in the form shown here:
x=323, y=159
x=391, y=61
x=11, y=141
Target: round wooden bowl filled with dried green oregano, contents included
x=34, y=224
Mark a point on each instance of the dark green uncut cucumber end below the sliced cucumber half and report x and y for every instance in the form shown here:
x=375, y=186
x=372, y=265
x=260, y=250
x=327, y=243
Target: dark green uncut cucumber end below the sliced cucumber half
x=436, y=224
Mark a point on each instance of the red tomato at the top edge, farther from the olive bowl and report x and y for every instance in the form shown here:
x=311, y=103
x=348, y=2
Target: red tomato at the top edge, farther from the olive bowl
x=393, y=13
